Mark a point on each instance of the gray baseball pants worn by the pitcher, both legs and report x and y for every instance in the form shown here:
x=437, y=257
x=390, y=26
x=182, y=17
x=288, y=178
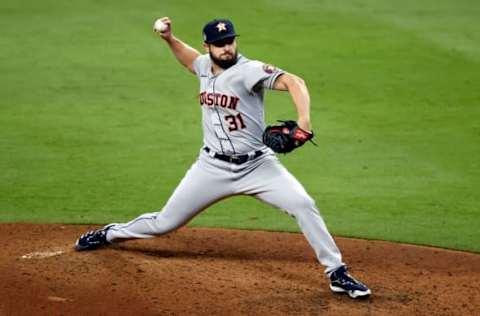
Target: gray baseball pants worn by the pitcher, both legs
x=210, y=180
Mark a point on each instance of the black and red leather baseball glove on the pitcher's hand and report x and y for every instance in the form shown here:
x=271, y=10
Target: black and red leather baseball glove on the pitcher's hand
x=285, y=137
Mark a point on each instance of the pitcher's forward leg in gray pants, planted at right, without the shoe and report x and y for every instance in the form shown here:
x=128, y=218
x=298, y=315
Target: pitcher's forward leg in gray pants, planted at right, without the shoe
x=276, y=186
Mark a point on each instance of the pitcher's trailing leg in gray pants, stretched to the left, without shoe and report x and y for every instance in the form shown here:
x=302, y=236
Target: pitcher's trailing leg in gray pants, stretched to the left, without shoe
x=199, y=189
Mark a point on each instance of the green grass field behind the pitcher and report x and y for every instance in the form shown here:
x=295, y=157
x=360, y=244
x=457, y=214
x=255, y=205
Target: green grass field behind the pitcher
x=99, y=123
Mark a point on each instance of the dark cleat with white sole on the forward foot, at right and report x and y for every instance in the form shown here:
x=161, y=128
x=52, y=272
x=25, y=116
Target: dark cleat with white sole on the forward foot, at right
x=342, y=282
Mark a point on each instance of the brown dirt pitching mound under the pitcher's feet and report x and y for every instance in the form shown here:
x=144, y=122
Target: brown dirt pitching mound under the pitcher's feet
x=224, y=272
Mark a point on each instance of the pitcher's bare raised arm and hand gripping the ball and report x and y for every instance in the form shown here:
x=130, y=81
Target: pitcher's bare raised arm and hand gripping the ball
x=184, y=53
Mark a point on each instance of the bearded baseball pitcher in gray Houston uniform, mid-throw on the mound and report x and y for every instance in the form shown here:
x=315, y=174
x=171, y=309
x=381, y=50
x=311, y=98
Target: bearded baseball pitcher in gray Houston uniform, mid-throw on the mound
x=238, y=152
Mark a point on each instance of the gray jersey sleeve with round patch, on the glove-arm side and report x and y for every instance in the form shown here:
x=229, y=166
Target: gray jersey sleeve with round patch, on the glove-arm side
x=261, y=75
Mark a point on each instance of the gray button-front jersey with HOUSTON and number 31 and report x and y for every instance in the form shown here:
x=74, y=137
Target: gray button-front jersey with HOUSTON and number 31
x=232, y=104
